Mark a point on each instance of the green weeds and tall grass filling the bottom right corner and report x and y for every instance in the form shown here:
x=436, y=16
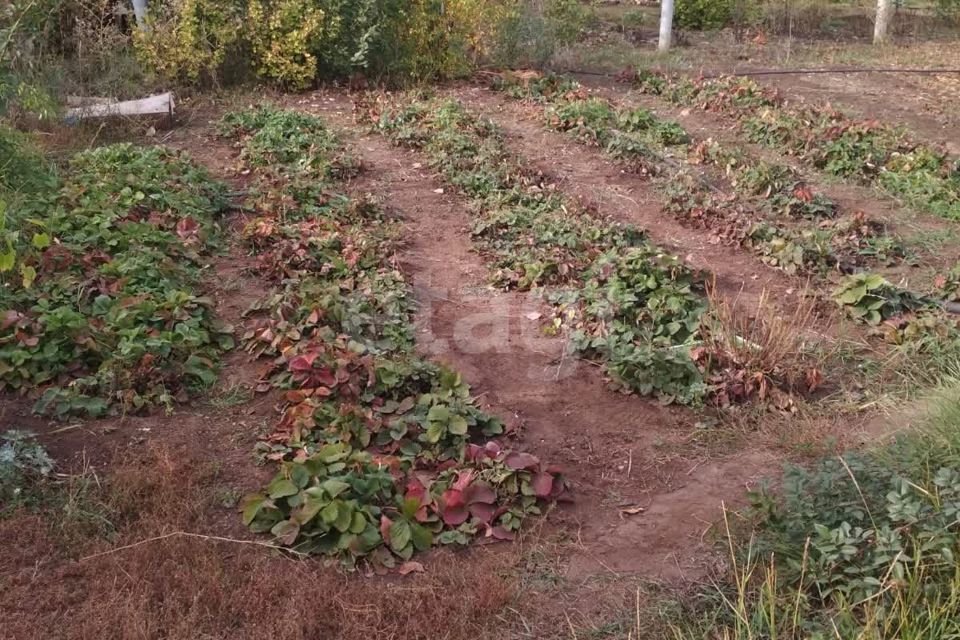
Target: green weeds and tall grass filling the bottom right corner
x=858, y=546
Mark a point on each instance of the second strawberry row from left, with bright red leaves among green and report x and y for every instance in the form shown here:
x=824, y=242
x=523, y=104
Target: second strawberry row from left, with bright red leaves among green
x=381, y=454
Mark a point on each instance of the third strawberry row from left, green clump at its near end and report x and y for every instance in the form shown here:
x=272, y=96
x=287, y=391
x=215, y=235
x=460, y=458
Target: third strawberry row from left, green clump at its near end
x=629, y=304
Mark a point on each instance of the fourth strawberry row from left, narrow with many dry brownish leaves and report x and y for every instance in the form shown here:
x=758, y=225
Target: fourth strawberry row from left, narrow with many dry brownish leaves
x=766, y=198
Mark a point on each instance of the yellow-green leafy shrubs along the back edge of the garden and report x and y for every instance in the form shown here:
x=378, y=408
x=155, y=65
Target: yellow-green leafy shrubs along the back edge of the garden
x=295, y=43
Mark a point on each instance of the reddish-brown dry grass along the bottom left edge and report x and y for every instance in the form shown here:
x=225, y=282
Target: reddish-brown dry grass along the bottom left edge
x=192, y=588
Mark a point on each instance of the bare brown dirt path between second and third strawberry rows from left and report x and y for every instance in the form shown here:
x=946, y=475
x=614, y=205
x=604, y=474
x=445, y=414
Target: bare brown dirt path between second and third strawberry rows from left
x=618, y=451
